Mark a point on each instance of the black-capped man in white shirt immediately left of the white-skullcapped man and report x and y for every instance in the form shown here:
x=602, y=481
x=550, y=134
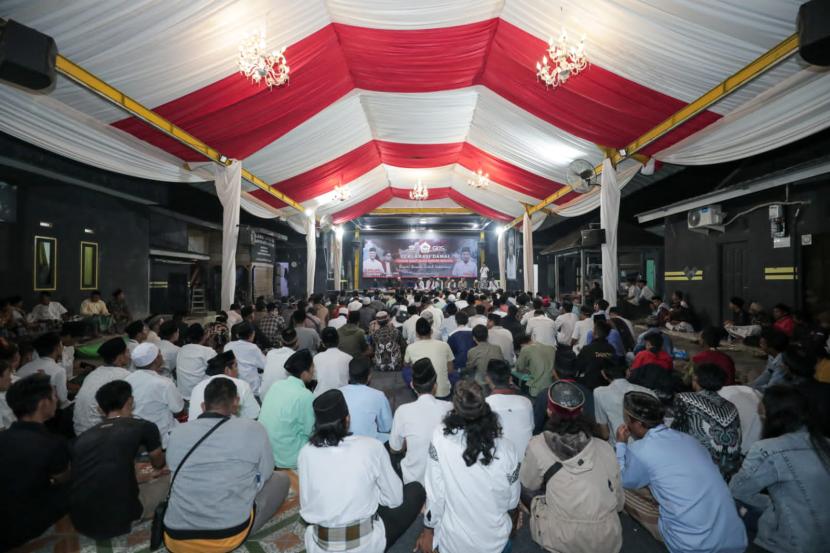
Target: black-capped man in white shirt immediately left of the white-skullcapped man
x=116, y=358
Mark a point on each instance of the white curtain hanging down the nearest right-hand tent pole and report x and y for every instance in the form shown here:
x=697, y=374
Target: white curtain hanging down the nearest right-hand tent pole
x=609, y=215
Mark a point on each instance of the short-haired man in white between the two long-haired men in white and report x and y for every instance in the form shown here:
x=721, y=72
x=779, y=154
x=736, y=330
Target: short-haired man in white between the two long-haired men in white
x=414, y=423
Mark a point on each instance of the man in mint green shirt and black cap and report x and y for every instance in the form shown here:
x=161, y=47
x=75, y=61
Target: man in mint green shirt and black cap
x=286, y=411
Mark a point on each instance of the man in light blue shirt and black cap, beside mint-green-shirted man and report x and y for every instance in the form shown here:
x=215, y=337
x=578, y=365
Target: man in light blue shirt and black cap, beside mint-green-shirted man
x=369, y=409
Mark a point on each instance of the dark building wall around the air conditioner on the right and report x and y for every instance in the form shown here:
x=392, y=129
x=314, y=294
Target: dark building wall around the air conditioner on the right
x=748, y=239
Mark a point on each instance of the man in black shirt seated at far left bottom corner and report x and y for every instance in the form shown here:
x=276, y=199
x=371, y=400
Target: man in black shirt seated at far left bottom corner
x=35, y=464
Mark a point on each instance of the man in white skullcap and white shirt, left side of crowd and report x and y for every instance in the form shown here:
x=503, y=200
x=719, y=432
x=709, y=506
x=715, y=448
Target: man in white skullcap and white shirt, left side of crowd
x=156, y=397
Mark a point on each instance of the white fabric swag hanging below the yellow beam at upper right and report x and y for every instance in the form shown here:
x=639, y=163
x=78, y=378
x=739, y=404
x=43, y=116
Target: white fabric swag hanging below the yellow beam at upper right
x=795, y=108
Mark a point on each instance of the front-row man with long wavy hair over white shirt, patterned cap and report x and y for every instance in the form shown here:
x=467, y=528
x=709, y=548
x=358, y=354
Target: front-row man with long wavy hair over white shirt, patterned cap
x=472, y=479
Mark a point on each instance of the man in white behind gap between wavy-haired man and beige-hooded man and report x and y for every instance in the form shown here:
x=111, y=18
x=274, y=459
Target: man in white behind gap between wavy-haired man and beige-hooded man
x=515, y=410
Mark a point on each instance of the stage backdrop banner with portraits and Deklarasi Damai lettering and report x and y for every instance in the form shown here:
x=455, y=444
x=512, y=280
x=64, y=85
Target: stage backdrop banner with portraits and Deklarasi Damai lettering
x=438, y=257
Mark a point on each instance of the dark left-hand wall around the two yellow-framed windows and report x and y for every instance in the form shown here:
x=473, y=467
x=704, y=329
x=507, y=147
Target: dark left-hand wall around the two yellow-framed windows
x=121, y=229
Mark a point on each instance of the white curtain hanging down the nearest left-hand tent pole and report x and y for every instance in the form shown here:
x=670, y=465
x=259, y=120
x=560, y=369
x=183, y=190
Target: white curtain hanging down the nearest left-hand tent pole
x=228, y=181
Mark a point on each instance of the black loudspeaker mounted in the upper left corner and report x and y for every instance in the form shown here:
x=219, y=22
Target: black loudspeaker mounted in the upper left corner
x=27, y=57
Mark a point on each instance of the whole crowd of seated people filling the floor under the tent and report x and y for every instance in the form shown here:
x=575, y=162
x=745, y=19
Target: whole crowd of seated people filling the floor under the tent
x=519, y=404
